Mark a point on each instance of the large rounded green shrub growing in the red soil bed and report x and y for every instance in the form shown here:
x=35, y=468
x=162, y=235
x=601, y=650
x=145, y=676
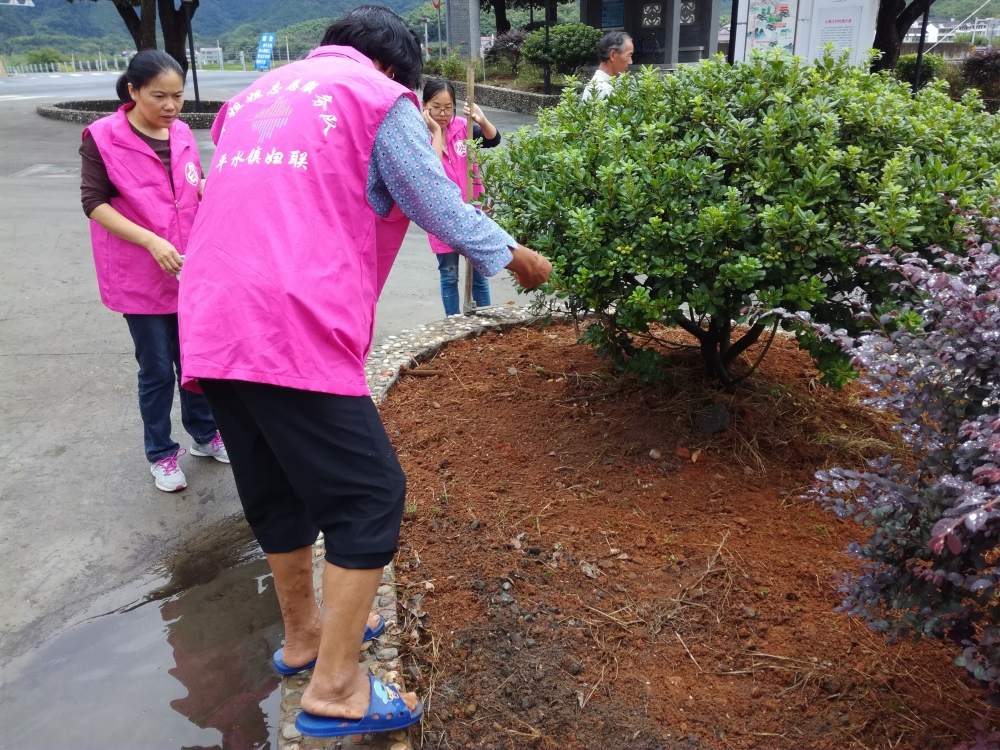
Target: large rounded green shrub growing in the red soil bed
x=705, y=198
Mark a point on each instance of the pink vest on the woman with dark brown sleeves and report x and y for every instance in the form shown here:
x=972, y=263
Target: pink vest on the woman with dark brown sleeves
x=129, y=279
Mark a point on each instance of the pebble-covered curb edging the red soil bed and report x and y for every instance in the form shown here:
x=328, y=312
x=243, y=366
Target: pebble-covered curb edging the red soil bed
x=381, y=656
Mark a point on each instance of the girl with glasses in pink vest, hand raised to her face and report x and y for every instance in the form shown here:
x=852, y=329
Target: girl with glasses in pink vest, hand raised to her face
x=448, y=135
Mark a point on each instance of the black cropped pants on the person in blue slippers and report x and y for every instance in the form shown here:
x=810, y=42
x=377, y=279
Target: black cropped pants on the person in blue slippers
x=305, y=461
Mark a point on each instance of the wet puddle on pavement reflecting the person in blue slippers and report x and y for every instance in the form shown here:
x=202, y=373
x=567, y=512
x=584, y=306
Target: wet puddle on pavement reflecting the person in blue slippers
x=185, y=666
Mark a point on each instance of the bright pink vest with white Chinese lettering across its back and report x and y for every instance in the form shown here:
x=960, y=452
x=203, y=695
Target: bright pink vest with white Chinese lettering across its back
x=287, y=257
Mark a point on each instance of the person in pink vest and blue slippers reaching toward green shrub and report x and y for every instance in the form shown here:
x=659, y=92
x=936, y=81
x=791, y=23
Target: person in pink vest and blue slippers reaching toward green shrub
x=319, y=166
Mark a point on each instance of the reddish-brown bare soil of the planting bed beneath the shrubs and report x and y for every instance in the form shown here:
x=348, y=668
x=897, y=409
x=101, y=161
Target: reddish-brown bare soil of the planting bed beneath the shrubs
x=584, y=570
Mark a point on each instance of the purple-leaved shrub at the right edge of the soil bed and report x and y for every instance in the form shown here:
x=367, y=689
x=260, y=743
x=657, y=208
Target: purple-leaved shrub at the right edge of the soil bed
x=930, y=565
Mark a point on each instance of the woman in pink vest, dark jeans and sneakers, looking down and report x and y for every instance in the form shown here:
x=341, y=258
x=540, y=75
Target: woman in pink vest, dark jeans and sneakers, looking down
x=141, y=187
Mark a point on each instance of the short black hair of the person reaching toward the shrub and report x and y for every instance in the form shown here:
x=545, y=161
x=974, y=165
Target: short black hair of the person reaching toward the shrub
x=379, y=34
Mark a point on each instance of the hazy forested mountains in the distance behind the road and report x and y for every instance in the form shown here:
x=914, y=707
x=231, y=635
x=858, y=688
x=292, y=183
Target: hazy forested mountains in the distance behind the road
x=86, y=26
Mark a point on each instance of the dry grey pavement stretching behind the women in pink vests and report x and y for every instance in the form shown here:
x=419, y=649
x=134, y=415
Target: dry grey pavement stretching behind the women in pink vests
x=79, y=516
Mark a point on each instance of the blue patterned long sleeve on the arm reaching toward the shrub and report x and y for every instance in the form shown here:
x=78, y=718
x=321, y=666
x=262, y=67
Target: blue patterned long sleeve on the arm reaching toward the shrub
x=406, y=171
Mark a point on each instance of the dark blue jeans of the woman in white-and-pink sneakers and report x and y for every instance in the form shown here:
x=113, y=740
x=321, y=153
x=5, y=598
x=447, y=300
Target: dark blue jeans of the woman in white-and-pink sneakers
x=157, y=350
